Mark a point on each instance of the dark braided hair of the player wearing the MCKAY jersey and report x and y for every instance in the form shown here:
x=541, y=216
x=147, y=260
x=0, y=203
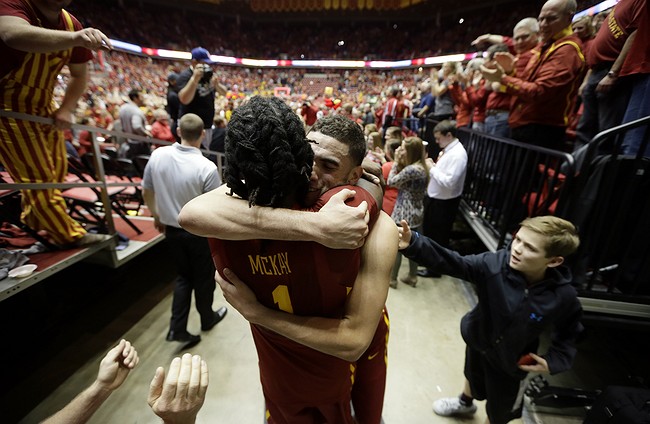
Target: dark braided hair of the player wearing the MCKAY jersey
x=266, y=147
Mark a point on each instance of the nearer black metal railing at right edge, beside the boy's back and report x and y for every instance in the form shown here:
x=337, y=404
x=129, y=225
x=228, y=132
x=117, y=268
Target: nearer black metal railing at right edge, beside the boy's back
x=610, y=204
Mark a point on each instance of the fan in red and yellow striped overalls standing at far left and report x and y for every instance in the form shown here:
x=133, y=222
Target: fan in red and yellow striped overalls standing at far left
x=29, y=71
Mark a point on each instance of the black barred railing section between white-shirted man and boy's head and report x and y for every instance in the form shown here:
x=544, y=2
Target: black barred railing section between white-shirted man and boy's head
x=508, y=180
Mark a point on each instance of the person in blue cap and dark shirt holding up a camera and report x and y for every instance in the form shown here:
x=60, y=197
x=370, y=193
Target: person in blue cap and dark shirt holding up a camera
x=197, y=86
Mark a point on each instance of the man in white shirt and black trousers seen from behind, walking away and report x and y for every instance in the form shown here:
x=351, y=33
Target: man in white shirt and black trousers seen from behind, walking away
x=173, y=176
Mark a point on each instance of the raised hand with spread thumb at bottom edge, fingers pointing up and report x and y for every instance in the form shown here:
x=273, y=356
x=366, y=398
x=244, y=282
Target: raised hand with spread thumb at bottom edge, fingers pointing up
x=178, y=398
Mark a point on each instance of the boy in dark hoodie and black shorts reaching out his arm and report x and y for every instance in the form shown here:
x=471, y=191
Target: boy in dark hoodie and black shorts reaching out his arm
x=521, y=291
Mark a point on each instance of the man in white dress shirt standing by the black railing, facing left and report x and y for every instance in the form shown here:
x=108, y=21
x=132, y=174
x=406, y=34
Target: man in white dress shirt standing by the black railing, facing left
x=446, y=181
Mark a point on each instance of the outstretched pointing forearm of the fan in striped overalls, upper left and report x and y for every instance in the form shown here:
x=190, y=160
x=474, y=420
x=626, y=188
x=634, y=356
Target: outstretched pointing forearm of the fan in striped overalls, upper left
x=19, y=34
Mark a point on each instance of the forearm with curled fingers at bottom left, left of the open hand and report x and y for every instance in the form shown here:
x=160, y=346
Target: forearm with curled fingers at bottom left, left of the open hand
x=113, y=370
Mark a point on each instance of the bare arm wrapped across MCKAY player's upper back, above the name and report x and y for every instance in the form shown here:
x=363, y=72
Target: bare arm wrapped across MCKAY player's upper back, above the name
x=217, y=214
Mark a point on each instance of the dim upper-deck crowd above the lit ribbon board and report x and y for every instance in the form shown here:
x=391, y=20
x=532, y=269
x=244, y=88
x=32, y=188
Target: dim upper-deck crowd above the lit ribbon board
x=142, y=23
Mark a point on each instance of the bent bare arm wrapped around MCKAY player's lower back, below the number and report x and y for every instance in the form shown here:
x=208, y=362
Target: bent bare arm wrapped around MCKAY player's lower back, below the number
x=345, y=338
